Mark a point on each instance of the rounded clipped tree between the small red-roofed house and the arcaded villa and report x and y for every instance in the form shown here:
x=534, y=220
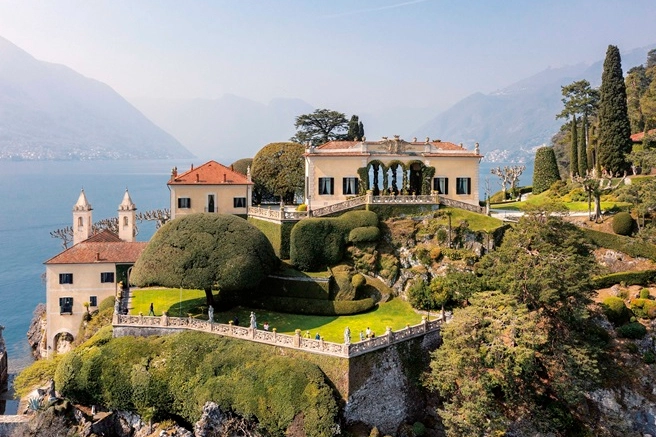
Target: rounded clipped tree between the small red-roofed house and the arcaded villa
x=280, y=169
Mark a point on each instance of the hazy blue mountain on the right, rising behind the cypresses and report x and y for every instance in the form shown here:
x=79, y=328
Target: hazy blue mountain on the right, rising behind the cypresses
x=511, y=123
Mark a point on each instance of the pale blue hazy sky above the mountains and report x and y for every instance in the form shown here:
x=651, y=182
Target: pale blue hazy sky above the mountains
x=346, y=55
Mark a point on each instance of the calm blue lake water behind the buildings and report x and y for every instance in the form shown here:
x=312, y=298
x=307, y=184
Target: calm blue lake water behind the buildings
x=37, y=197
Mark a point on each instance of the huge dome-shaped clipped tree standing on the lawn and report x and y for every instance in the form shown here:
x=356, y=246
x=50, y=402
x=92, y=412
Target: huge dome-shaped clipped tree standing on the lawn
x=206, y=251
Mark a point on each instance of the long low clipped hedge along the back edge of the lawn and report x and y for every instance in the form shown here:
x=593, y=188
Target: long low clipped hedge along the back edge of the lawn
x=314, y=307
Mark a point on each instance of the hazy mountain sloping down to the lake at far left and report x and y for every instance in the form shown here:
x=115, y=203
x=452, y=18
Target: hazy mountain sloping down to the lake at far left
x=48, y=111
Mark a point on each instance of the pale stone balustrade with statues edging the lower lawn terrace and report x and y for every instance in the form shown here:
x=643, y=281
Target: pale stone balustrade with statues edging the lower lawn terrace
x=165, y=324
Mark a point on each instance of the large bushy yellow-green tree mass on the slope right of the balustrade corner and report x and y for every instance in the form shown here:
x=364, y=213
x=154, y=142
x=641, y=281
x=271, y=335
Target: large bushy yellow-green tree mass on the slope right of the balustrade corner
x=525, y=351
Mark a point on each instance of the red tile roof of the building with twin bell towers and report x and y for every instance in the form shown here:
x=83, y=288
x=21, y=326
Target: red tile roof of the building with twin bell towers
x=104, y=247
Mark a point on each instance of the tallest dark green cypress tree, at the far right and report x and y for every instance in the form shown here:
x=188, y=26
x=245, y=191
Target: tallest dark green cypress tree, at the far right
x=614, y=125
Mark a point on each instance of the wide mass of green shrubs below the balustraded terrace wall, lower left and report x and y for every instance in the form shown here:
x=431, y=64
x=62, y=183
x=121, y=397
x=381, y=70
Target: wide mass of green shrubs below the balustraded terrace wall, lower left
x=178, y=374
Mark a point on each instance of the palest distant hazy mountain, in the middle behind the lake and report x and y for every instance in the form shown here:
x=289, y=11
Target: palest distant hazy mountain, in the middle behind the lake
x=228, y=128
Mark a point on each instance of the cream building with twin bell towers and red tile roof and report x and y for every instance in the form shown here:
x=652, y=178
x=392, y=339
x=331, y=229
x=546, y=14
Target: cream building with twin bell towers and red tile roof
x=88, y=272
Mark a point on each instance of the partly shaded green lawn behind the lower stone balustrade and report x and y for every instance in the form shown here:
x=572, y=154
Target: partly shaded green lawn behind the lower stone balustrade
x=395, y=313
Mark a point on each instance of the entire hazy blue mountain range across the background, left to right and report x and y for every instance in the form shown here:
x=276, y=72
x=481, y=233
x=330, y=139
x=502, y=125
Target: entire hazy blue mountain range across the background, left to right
x=48, y=111
